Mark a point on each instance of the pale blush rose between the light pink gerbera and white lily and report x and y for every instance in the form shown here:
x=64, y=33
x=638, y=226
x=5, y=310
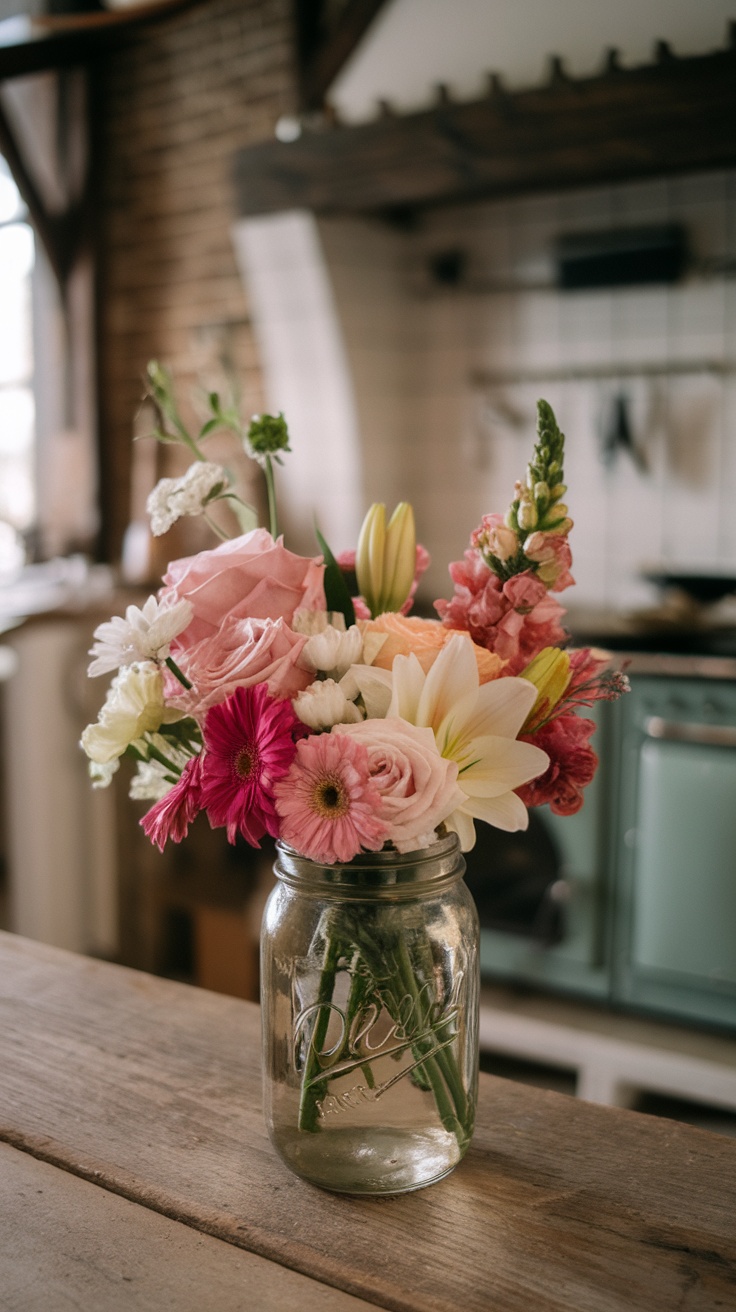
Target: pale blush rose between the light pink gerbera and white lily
x=417, y=785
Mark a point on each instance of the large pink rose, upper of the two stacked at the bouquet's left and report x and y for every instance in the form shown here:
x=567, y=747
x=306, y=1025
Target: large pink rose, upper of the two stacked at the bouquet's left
x=250, y=578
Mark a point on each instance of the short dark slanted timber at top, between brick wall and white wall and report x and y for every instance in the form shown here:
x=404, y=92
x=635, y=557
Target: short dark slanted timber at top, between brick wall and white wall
x=323, y=48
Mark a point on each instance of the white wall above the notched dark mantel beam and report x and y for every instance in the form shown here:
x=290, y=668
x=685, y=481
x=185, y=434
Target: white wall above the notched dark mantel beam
x=417, y=44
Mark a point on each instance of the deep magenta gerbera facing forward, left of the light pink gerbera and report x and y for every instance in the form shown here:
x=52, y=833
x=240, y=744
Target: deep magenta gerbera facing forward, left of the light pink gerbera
x=249, y=746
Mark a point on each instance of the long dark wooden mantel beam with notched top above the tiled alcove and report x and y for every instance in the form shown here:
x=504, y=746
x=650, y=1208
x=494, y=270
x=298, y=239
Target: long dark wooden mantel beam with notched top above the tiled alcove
x=671, y=116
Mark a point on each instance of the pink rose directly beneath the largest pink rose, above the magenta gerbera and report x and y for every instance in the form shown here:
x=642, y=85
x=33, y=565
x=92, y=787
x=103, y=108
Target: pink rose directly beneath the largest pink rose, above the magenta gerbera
x=241, y=654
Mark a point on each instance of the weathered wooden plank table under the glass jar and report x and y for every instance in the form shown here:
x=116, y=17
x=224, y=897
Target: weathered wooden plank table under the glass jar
x=136, y=1174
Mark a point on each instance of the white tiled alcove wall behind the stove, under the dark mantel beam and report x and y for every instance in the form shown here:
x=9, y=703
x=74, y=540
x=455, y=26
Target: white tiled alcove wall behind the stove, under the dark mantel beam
x=427, y=434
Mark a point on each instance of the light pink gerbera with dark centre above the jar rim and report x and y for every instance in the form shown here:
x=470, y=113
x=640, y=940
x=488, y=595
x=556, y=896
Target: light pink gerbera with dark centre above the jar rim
x=327, y=802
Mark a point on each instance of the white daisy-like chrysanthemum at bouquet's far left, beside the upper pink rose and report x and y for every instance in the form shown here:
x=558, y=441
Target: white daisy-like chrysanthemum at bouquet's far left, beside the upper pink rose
x=145, y=634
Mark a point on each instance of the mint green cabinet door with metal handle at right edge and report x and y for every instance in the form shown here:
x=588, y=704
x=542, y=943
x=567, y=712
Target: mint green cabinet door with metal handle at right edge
x=675, y=927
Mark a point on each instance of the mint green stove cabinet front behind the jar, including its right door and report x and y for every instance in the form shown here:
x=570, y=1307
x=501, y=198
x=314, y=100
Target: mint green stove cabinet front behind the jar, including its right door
x=649, y=864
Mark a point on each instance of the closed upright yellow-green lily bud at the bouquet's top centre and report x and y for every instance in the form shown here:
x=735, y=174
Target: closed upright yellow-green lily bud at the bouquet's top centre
x=386, y=558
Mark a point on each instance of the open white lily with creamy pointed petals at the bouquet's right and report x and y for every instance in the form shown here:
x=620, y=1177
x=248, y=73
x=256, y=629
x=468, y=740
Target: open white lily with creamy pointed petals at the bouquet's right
x=476, y=726
